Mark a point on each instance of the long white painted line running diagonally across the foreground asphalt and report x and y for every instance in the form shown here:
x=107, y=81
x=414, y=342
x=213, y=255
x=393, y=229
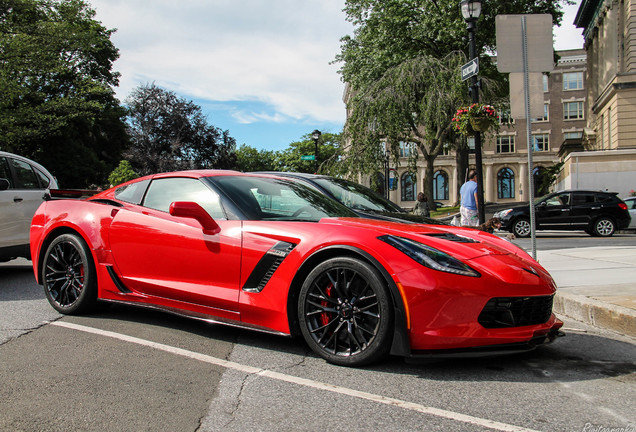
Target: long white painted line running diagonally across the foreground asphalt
x=299, y=381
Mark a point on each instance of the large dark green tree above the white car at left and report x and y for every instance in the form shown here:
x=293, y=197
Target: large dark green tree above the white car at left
x=56, y=76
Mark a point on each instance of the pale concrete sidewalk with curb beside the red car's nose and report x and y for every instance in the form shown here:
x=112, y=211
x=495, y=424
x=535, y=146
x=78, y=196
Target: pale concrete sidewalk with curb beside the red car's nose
x=596, y=285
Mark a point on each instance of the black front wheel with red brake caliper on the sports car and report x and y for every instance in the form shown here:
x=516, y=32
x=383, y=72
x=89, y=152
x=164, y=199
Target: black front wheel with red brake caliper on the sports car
x=345, y=312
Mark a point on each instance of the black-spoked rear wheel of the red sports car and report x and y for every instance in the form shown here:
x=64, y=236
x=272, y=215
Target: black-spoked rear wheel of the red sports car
x=68, y=275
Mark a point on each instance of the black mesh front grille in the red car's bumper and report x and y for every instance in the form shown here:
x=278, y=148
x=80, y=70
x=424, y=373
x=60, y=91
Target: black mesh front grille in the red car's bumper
x=502, y=312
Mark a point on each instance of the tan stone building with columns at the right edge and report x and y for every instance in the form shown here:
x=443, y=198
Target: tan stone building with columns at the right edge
x=607, y=157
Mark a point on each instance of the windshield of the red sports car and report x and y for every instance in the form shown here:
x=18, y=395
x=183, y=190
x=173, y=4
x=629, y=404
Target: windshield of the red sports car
x=262, y=198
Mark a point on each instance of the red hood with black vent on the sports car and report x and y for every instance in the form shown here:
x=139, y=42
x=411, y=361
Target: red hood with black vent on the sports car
x=463, y=243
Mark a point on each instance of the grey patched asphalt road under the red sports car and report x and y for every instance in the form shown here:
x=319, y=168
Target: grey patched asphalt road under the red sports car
x=131, y=369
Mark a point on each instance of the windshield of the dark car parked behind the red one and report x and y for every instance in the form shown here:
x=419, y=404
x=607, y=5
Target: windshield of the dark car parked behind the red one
x=356, y=196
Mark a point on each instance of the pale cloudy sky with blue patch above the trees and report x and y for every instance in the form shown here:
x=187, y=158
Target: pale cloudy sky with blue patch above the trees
x=261, y=69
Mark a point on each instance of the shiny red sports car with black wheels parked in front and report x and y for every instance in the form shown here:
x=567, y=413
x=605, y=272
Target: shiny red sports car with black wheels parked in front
x=270, y=254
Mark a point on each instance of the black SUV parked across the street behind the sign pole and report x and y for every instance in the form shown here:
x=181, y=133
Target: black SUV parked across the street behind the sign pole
x=595, y=212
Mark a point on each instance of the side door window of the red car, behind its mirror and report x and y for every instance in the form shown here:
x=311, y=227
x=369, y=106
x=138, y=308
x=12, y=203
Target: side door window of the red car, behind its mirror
x=163, y=192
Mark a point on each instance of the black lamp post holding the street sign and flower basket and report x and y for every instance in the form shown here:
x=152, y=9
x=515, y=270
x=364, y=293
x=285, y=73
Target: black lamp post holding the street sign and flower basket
x=471, y=10
